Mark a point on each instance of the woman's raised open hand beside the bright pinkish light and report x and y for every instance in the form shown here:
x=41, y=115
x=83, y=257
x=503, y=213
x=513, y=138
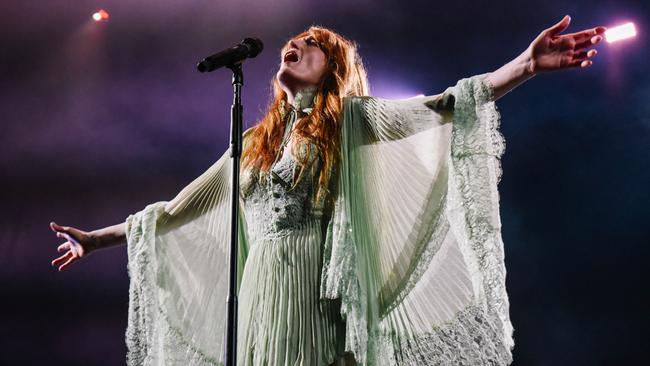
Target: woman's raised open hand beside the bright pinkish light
x=552, y=51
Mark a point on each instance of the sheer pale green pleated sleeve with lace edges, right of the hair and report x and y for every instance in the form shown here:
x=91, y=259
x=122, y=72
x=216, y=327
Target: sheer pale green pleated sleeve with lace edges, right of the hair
x=414, y=248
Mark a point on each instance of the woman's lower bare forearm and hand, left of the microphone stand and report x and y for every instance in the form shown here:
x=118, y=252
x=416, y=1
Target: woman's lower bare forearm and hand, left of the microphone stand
x=81, y=243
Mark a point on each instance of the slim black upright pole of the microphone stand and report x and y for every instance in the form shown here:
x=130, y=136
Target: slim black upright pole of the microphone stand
x=235, y=154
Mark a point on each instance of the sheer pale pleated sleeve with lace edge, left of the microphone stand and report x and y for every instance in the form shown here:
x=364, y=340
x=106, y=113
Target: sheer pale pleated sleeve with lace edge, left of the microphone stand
x=178, y=266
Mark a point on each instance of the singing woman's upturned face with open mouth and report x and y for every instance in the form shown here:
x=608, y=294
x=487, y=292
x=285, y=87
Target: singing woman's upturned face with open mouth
x=302, y=65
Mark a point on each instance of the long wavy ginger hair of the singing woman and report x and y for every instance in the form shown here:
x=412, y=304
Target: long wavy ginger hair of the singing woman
x=344, y=76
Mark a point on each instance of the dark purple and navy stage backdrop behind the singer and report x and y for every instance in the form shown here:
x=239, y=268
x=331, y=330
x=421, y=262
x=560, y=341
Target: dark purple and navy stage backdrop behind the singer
x=99, y=120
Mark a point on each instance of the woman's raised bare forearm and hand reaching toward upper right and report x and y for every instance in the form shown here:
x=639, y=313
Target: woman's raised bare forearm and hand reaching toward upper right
x=550, y=51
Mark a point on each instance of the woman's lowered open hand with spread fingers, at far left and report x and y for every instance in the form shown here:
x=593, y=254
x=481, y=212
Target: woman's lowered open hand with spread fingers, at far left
x=78, y=244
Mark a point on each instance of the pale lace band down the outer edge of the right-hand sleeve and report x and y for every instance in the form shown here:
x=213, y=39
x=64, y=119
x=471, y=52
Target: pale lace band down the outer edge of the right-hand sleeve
x=475, y=156
